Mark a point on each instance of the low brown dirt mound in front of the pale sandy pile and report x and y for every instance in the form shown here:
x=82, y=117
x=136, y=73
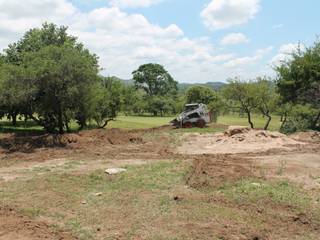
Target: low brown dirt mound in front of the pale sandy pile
x=215, y=171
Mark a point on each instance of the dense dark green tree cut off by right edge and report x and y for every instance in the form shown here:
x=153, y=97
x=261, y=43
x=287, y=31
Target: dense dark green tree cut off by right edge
x=298, y=79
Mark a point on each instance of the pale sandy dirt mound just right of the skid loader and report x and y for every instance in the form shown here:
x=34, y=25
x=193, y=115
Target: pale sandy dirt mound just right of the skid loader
x=237, y=140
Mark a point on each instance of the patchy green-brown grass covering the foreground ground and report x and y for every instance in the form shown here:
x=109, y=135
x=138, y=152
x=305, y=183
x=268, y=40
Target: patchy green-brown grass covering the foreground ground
x=139, y=203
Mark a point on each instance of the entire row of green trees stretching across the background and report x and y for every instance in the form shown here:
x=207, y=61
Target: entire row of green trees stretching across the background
x=52, y=79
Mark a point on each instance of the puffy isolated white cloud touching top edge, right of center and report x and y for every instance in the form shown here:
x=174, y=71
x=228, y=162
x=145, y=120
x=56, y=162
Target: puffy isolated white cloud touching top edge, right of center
x=219, y=14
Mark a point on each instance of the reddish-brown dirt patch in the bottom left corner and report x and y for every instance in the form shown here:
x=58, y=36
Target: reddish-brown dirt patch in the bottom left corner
x=19, y=227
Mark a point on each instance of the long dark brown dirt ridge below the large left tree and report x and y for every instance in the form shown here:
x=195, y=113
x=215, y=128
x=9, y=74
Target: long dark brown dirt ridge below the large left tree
x=25, y=143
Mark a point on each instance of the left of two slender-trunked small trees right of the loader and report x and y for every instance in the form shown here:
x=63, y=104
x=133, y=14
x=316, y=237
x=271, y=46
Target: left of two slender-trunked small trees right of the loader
x=242, y=96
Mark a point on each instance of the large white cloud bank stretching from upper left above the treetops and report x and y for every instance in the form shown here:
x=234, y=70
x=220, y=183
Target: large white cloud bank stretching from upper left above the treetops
x=123, y=41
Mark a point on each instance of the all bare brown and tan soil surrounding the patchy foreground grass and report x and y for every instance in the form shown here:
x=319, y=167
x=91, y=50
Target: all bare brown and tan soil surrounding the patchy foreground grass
x=217, y=158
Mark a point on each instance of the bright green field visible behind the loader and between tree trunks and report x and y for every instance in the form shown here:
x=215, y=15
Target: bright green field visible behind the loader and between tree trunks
x=140, y=122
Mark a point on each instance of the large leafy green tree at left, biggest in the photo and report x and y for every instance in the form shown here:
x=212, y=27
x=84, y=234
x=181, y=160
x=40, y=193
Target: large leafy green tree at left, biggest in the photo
x=50, y=77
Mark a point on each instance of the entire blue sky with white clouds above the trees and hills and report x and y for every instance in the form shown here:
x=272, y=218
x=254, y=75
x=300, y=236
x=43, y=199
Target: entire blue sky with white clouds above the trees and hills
x=195, y=40
